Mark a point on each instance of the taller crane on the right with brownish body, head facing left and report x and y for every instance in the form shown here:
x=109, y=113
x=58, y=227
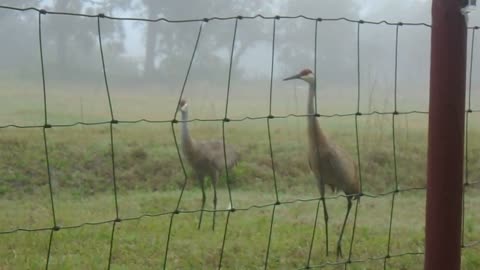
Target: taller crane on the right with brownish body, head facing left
x=330, y=164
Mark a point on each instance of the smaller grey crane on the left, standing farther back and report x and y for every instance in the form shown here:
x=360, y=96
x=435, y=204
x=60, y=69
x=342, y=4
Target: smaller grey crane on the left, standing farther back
x=207, y=159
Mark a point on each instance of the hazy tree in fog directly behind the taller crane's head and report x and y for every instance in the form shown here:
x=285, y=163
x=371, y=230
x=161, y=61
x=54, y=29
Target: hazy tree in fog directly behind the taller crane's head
x=336, y=41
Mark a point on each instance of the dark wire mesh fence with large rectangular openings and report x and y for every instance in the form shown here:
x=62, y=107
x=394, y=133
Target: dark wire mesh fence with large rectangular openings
x=174, y=213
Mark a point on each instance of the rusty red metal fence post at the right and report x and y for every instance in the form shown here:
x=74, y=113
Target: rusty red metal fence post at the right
x=445, y=136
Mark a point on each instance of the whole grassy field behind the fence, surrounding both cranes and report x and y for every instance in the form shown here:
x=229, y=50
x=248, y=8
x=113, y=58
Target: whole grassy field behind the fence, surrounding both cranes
x=149, y=177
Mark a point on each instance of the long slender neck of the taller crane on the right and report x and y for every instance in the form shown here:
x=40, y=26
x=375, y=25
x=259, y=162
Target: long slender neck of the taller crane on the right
x=316, y=136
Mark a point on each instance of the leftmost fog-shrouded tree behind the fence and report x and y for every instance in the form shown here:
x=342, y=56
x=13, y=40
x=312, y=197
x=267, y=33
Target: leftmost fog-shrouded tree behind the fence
x=72, y=42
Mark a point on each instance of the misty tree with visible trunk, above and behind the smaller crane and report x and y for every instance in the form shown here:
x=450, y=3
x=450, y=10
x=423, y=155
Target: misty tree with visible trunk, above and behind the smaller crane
x=168, y=44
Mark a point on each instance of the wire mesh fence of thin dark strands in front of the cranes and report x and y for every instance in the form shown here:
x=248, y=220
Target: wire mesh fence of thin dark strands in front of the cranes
x=268, y=118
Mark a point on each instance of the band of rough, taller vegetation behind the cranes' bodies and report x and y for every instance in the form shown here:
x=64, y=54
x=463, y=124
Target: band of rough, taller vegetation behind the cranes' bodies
x=146, y=156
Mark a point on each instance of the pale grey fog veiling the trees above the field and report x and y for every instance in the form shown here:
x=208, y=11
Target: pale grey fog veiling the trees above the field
x=143, y=58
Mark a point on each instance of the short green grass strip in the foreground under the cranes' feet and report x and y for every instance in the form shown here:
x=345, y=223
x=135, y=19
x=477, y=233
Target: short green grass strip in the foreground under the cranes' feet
x=141, y=243
